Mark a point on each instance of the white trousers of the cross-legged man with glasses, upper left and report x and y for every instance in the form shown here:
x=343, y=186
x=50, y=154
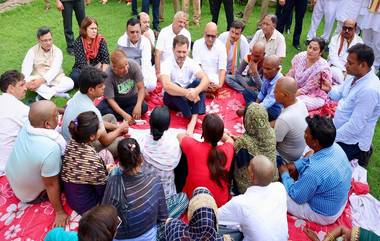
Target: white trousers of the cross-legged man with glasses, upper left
x=60, y=84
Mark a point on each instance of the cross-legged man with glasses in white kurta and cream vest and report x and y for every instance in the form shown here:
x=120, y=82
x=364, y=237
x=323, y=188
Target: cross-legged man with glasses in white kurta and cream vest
x=42, y=68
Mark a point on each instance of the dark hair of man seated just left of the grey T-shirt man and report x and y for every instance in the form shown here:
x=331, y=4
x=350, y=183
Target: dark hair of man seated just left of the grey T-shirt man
x=90, y=77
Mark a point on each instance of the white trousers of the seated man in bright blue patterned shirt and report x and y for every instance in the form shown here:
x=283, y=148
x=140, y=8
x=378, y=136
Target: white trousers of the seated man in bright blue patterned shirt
x=304, y=211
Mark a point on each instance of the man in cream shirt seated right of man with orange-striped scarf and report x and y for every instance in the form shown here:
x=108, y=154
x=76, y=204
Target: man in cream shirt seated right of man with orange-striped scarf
x=273, y=39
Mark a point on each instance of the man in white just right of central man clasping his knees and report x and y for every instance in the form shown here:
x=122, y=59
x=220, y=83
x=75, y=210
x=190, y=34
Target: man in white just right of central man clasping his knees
x=211, y=55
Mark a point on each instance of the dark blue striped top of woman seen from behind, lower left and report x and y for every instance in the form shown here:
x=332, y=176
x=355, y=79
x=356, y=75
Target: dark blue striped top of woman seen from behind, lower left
x=140, y=201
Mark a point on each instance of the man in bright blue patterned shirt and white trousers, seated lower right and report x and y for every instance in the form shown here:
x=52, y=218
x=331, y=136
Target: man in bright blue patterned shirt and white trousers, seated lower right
x=321, y=191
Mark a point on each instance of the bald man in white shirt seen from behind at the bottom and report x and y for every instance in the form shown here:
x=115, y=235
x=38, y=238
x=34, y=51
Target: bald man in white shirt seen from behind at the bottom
x=260, y=212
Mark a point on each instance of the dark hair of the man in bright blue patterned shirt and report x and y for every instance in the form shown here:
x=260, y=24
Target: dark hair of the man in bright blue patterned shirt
x=322, y=128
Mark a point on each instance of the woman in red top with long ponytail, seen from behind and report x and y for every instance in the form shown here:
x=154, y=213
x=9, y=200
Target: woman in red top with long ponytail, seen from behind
x=209, y=164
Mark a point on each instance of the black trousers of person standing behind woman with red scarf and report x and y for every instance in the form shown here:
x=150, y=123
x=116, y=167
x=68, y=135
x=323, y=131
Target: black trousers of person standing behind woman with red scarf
x=79, y=9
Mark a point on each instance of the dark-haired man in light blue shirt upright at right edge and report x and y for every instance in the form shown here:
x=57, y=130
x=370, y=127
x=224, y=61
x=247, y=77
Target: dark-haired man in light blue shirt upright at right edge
x=359, y=104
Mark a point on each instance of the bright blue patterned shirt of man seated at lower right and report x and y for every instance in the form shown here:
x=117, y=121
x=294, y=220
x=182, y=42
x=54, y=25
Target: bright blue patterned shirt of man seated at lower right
x=324, y=181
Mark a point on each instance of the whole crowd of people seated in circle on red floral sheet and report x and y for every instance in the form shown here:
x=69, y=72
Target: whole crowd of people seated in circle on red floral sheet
x=239, y=187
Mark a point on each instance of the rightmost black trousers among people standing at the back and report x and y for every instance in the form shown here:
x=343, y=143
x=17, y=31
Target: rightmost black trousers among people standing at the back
x=284, y=14
